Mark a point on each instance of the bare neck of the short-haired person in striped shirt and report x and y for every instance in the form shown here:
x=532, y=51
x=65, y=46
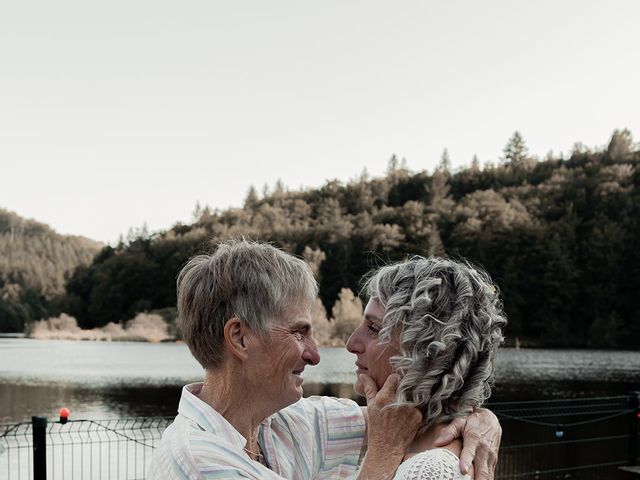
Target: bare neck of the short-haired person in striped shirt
x=229, y=393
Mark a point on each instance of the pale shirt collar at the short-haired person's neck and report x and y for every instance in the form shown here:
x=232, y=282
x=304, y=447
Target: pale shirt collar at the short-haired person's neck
x=206, y=417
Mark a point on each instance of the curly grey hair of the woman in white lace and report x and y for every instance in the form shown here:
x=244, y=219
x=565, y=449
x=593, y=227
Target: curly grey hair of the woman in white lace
x=448, y=317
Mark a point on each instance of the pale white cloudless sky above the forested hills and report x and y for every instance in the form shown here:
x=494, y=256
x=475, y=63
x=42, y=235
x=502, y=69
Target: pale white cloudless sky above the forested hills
x=115, y=113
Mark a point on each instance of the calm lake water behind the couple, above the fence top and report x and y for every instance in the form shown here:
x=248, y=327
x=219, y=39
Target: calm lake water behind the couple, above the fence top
x=116, y=379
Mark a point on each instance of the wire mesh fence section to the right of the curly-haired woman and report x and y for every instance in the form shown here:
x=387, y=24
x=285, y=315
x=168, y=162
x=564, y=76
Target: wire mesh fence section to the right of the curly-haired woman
x=575, y=439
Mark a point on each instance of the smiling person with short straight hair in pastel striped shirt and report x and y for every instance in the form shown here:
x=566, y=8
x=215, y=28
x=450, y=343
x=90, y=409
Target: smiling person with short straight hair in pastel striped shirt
x=245, y=313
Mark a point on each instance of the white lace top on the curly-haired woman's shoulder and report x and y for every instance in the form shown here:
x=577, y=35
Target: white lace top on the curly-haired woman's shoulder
x=435, y=464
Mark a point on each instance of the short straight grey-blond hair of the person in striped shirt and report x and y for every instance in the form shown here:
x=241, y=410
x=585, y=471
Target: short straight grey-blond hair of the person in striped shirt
x=254, y=281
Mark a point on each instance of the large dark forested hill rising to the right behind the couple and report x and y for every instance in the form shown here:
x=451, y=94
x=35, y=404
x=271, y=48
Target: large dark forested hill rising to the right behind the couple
x=561, y=237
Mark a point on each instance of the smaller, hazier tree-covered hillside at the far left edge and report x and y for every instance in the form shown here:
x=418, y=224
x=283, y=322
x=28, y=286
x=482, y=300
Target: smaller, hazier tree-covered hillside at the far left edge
x=34, y=264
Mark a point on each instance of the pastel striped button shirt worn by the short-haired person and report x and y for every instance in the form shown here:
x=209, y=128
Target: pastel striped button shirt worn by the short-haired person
x=315, y=438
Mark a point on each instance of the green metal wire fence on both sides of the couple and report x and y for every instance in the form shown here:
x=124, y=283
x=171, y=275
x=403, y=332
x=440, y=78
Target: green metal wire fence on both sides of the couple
x=553, y=439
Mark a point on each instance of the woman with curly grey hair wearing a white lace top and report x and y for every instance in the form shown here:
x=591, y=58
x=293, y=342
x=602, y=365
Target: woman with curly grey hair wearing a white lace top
x=436, y=323
